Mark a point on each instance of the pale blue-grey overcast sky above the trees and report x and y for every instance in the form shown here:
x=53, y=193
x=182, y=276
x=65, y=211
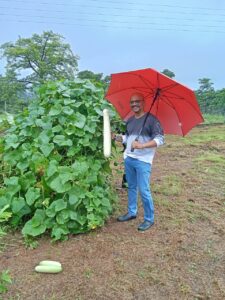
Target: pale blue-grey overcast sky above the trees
x=187, y=37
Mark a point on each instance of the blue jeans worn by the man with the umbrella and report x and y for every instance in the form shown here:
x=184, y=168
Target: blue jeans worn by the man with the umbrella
x=138, y=179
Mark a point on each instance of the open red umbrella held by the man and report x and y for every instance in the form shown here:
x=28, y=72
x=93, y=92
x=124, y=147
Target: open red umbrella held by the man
x=174, y=104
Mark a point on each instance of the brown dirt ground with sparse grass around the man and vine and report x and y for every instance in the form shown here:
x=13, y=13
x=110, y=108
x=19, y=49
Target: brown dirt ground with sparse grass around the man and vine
x=181, y=257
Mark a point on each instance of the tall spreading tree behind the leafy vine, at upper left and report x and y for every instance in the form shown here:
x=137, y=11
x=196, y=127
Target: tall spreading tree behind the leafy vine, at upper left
x=43, y=57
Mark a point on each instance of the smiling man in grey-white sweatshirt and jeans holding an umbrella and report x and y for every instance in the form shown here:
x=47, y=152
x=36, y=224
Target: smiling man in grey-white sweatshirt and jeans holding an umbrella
x=138, y=157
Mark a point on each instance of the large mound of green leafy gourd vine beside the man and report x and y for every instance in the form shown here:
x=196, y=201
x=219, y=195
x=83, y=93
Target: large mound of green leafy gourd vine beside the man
x=54, y=176
